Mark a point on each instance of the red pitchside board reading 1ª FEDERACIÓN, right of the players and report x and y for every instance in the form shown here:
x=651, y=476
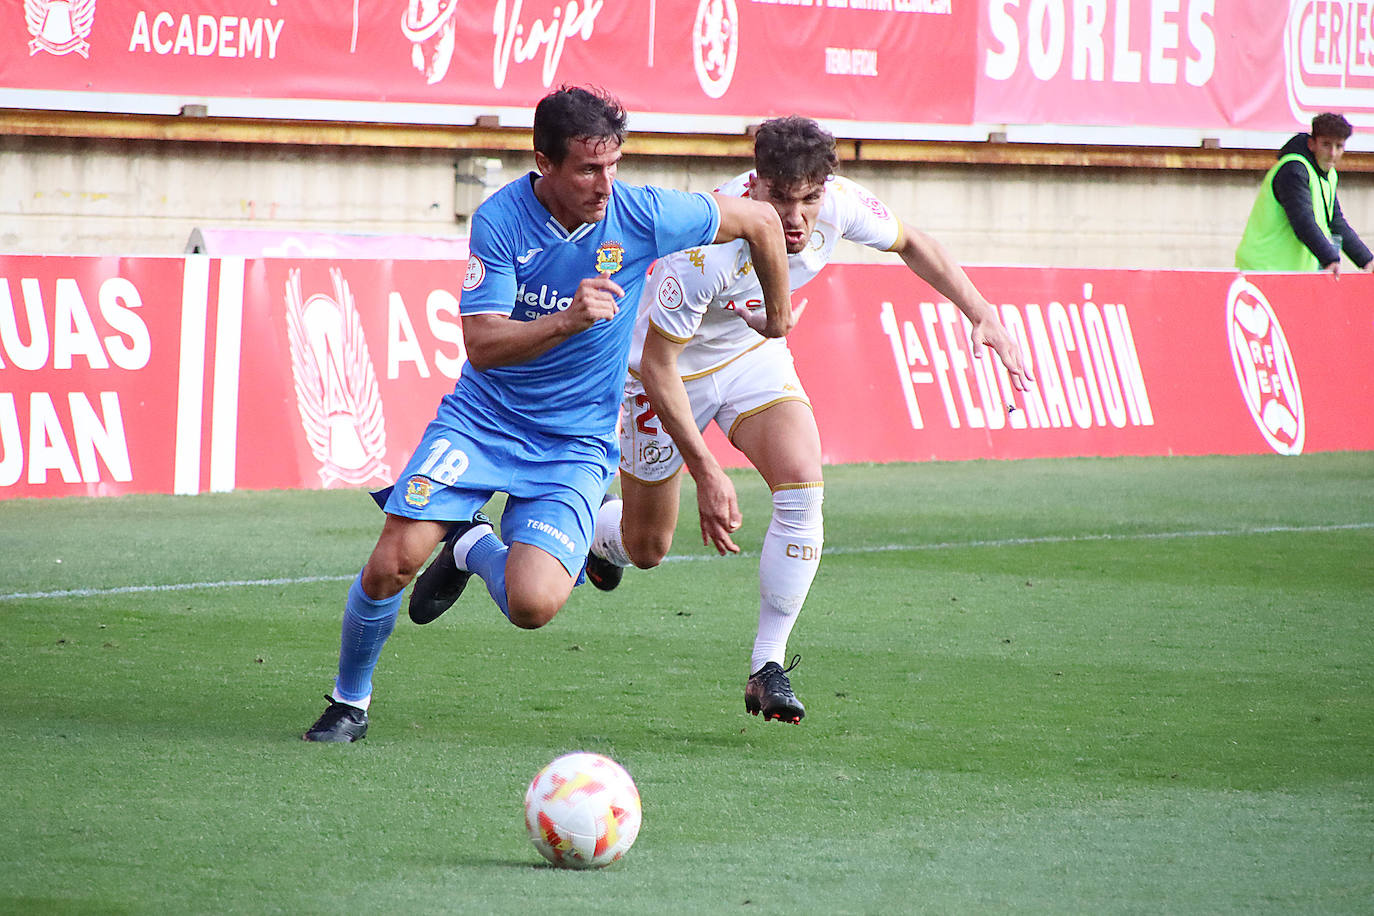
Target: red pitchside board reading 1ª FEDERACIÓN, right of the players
x=1126, y=363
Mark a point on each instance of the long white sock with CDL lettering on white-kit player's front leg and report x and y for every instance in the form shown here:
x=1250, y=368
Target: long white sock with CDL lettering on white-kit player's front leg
x=787, y=568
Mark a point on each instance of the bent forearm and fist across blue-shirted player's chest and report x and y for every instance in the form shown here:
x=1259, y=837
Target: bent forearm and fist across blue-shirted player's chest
x=495, y=340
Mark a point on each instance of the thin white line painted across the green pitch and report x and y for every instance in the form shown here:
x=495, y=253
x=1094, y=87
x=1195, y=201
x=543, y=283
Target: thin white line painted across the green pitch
x=686, y=558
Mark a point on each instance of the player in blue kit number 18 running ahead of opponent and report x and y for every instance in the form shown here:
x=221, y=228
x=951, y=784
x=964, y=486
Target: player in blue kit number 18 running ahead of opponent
x=554, y=257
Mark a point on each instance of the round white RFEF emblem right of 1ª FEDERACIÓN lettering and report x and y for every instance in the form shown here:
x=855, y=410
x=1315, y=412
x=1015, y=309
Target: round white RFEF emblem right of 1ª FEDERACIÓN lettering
x=1265, y=369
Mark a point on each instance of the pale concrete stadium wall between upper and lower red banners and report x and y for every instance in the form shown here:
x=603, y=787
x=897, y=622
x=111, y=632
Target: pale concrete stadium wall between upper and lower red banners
x=101, y=196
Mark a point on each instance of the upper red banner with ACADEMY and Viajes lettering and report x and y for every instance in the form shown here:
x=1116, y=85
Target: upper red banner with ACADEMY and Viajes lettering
x=858, y=60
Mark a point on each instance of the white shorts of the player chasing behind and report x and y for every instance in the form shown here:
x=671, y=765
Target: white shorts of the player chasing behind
x=745, y=387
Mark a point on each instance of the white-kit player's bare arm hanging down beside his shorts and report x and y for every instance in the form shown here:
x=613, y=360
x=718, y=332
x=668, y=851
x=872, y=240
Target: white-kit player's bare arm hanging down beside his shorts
x=717, y=502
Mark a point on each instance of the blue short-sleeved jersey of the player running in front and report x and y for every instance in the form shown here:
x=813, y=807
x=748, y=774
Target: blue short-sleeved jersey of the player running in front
x=524, y=264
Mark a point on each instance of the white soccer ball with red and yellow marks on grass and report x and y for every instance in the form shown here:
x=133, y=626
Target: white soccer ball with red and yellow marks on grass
x=583, y=811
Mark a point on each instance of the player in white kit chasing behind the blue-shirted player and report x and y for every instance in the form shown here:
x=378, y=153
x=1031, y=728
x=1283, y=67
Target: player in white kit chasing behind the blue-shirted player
x=699, y=358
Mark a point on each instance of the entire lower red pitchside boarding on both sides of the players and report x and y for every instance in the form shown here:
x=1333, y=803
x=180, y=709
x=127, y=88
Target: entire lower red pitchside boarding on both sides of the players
x=186, y=376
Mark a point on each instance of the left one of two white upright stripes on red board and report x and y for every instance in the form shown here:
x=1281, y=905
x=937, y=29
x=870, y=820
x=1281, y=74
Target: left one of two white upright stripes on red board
x=190, y=395
